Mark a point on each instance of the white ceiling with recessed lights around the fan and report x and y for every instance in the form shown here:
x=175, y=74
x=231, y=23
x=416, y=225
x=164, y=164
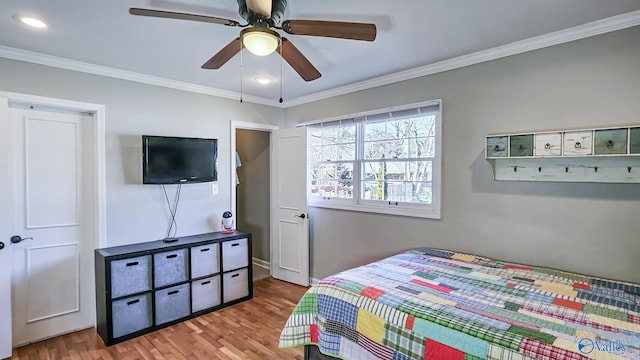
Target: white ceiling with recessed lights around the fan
x=412, y=34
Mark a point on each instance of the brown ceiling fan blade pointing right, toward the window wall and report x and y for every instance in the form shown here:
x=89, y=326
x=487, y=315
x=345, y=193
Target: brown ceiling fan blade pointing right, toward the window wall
x=335, y=29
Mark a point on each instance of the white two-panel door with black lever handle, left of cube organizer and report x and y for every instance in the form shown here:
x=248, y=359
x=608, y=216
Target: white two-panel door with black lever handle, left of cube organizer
x=53, y=211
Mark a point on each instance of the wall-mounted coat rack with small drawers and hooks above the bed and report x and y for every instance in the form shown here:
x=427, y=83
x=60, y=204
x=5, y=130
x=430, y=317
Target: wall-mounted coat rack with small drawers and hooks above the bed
x=609, y=155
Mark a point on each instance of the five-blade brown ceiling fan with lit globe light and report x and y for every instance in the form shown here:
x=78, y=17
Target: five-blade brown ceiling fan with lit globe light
x=260, y=38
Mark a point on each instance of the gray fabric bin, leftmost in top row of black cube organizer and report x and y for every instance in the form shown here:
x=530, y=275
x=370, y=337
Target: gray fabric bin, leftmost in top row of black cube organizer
x=130, y=276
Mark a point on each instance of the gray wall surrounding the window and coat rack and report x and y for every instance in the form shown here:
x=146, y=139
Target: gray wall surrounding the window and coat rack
x=586, y=228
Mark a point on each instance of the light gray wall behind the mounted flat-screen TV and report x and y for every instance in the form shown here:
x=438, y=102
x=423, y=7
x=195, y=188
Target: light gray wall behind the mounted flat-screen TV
x=136, y=212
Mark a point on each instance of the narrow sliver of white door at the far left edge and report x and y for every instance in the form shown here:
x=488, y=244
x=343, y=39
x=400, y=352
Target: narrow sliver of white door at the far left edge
x=5, y=228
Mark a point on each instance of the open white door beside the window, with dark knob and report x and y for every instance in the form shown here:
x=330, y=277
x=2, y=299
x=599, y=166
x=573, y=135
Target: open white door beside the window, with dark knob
x=289, y=212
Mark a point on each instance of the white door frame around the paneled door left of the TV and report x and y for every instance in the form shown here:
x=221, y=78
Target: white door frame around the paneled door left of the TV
x=98, y=112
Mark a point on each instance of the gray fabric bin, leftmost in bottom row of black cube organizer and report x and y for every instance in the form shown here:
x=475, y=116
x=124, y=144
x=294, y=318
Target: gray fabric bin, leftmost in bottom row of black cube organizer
x=131, y=314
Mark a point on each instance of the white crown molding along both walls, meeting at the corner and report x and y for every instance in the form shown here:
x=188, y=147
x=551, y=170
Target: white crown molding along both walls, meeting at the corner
x=594, y=28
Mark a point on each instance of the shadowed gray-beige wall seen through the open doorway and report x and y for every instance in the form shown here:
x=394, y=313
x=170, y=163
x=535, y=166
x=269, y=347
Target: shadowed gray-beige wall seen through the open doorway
x=253, y=200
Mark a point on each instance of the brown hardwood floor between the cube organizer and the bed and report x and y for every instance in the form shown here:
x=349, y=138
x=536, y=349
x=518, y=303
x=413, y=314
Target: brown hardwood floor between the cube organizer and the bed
x=249, y=330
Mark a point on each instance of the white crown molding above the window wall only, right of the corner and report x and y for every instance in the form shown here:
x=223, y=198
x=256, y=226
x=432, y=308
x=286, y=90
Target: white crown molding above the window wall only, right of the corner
x=594, y=28
